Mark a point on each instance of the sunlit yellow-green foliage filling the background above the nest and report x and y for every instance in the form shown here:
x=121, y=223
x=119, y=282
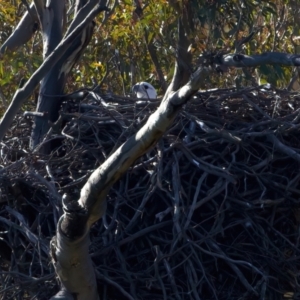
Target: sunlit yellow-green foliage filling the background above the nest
x=119, y=45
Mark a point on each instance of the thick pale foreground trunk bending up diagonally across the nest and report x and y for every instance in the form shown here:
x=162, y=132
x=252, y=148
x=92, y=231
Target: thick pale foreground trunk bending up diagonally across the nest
x=70, y=247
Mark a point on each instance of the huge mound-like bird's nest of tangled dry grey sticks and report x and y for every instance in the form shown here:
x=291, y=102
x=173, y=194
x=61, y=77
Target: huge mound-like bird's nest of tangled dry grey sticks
x=211, y=212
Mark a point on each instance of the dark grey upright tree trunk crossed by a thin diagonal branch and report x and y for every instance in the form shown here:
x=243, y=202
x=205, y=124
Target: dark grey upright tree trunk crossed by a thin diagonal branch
x=52, y=20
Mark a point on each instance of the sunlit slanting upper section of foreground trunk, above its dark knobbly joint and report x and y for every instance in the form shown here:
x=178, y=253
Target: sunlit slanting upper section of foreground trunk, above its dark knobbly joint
x=94, y=192
